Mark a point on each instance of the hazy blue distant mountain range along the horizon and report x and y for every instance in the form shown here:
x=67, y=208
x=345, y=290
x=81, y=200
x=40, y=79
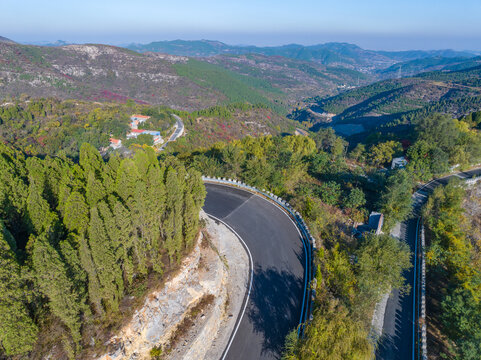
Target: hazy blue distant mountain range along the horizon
x=332, y=54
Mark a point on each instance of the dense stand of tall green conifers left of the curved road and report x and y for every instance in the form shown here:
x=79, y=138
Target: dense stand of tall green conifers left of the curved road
x=75, y=238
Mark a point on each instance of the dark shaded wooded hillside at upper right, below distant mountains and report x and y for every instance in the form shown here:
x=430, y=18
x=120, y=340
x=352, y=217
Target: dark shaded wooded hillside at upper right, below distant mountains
x=391, y=103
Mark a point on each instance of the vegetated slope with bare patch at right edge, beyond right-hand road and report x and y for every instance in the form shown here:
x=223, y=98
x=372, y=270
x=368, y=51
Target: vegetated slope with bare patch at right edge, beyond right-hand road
x=455, y=269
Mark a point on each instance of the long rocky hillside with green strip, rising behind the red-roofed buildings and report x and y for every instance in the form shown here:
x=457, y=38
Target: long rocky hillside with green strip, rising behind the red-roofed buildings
x=107, y=73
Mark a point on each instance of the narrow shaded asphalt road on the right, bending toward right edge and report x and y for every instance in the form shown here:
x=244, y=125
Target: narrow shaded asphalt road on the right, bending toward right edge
x=397, y=336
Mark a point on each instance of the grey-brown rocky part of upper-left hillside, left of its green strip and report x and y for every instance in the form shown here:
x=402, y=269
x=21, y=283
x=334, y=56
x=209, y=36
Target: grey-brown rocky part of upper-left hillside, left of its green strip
x=97, y=72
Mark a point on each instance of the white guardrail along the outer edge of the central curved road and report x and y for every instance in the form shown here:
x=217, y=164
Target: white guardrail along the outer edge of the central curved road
x=309, y=242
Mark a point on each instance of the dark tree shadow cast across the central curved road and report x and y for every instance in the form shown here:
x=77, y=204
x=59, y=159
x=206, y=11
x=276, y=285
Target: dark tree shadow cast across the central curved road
x=276, y=295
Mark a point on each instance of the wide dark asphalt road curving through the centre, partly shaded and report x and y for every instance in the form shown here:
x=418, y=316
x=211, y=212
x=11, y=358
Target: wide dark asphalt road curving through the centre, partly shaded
x=274, y=305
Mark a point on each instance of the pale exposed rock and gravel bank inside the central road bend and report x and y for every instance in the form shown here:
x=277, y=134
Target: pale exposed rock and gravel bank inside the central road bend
x=203, y=272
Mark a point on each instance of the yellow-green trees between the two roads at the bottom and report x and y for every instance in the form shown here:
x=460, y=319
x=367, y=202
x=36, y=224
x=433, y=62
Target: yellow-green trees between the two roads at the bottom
x=349, y=284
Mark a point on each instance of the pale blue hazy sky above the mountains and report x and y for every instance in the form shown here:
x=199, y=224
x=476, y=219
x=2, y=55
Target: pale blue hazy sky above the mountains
x=375, y=24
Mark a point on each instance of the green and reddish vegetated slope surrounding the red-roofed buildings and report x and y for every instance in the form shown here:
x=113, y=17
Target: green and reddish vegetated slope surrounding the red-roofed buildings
x=54, y=127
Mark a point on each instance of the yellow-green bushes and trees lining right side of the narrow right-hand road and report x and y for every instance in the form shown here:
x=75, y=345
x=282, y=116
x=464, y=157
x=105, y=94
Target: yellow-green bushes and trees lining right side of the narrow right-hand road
x=453, y=254
